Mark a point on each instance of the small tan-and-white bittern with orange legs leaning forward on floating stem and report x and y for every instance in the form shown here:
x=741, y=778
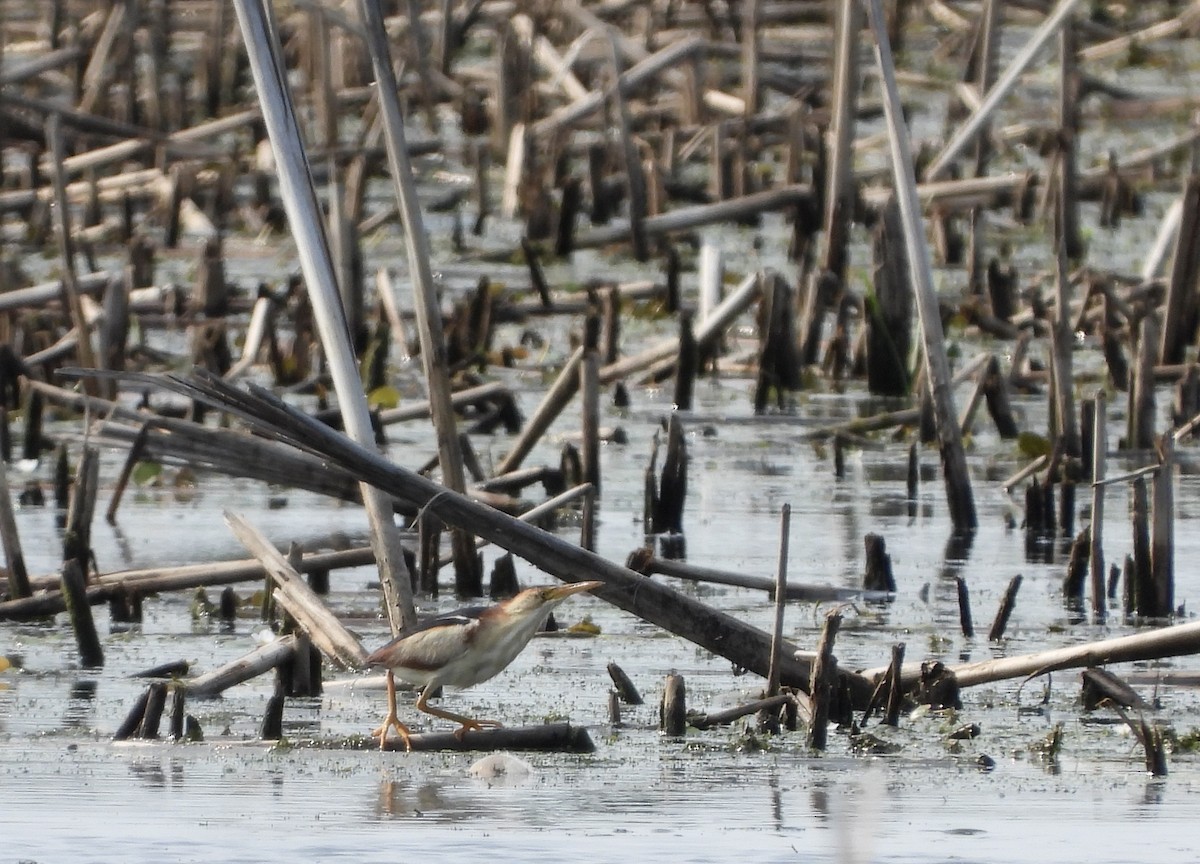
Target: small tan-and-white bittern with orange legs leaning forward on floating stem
x=464, y=649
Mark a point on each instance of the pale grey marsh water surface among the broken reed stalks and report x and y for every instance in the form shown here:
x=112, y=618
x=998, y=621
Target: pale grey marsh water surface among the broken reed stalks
x=70, y=794
